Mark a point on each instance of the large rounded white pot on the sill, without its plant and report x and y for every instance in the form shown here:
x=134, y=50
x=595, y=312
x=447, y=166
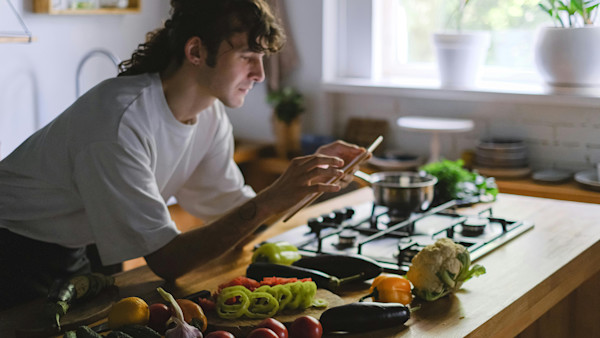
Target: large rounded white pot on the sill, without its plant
x=569, y=57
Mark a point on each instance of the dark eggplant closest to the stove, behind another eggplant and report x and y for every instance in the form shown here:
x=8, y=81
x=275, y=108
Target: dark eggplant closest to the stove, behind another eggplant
x=342, y=266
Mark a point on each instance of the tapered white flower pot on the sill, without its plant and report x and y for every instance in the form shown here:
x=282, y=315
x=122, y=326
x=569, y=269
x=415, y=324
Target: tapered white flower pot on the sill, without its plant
x=460, y=56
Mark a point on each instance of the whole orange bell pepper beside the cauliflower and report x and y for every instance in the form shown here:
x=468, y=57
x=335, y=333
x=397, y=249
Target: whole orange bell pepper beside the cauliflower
x=390, y=289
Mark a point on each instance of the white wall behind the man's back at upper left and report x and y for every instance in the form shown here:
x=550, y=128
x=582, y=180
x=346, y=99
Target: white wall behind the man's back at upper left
x=37, y=80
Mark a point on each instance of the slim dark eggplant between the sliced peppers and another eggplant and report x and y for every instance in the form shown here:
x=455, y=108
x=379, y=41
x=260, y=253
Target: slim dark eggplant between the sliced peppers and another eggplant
x=260, y=270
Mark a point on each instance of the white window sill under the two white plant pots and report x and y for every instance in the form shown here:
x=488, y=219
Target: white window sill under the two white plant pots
x=485, y=91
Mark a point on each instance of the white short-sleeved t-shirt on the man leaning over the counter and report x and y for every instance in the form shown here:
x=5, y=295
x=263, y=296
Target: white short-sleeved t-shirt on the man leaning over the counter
x=102, y=171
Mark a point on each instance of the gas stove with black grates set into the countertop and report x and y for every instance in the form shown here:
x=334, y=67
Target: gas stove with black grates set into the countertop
x=392, y=239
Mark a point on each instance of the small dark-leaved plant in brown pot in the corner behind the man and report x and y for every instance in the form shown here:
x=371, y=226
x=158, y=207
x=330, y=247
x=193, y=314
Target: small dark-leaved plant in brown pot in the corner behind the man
x=288, y=105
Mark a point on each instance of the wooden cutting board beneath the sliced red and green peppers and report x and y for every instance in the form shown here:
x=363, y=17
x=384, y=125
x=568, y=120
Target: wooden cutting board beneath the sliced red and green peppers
x=242, y=326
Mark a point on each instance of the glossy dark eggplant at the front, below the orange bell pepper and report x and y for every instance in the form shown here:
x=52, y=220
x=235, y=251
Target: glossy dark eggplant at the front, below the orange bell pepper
x=364, y=317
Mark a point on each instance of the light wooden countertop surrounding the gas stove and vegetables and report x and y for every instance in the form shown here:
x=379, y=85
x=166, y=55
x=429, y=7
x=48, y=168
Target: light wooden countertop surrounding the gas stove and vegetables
x=525, y=277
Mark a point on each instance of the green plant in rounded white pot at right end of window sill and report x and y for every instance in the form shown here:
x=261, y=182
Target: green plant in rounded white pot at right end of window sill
x=567, y=54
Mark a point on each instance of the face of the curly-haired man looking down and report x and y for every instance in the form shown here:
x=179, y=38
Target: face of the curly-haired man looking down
x=236, y=71
